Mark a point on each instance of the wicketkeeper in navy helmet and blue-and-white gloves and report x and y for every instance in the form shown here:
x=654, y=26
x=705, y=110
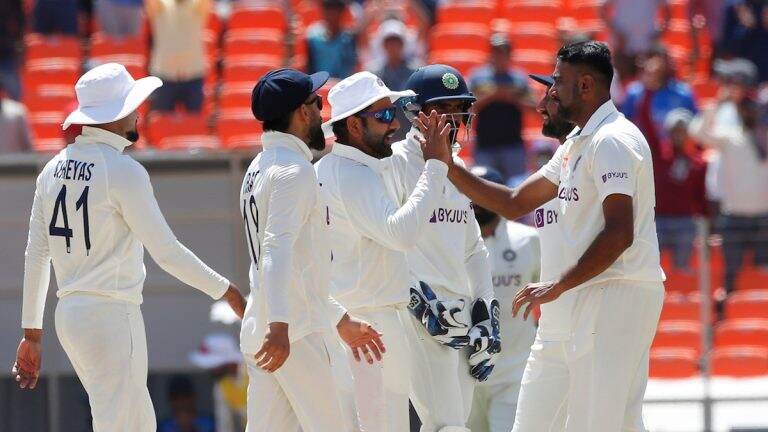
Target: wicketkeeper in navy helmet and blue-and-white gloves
x=451, y=353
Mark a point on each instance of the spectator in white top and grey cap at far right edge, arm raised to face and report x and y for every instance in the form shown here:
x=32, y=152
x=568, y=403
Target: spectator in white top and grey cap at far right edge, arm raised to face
x=737, y=127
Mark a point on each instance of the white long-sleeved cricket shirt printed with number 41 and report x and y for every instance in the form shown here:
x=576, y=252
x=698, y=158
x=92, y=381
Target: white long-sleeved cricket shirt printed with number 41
x=93, y=213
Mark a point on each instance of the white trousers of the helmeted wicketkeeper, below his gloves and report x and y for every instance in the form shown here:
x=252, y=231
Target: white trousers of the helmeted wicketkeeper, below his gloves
x=441, y=386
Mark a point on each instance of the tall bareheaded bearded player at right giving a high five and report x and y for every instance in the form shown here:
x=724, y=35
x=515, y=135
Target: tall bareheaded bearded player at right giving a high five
x=590, y=361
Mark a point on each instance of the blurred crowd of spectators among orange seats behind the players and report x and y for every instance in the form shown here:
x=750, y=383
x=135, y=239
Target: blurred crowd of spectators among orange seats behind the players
x=691, y=74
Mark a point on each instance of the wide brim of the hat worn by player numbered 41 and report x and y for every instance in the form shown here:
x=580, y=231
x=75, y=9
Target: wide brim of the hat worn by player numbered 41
x=116, y=110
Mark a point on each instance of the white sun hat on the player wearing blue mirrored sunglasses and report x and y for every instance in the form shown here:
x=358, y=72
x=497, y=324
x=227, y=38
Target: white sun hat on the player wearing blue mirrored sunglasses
x=354, y=93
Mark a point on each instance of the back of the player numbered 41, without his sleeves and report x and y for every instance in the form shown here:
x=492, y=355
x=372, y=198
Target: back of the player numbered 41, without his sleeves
x=90, y=245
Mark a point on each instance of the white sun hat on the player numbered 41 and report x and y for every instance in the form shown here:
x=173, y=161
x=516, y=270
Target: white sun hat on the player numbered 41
x=109, y=93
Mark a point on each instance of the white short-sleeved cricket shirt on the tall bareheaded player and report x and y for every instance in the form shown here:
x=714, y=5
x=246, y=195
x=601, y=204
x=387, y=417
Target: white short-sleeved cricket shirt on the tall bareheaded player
x=608, y=156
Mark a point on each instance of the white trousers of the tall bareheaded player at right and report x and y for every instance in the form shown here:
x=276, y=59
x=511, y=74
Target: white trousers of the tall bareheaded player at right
x=594, y=382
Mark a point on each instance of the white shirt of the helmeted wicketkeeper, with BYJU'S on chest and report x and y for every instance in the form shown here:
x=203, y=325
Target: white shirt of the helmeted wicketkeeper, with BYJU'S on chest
x=450, y=252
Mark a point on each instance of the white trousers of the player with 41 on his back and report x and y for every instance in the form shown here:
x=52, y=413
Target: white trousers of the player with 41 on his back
x=106, y=343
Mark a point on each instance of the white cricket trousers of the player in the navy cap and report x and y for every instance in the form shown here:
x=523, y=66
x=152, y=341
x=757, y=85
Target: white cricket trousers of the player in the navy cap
x=302, y=393
